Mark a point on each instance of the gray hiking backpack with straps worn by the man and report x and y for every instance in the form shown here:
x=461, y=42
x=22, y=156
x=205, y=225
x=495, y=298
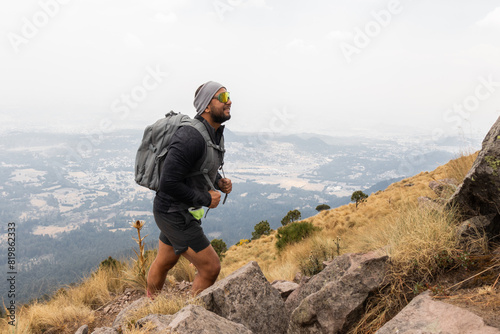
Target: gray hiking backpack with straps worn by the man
x=154, y=147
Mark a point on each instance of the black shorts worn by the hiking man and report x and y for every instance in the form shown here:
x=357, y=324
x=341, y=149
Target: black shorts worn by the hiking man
x=181, y=231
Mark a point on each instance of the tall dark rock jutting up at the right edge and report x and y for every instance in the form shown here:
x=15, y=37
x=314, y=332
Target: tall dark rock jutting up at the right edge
x=479, y=193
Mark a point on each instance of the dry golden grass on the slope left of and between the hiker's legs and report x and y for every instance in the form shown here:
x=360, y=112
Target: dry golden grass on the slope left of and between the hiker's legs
x=75, y=305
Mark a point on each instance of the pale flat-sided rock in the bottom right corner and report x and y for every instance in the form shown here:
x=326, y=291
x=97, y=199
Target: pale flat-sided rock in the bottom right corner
x=426, y=315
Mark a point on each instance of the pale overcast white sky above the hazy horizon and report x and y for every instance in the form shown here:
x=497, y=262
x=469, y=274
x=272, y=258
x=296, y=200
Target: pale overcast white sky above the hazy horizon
x=332, y=67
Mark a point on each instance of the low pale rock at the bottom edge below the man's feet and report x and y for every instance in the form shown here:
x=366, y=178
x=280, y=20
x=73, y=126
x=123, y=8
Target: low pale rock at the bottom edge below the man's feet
x=192, y=319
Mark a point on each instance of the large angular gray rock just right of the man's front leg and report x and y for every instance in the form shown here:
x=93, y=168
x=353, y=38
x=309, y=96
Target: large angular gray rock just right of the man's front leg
x=246, y=297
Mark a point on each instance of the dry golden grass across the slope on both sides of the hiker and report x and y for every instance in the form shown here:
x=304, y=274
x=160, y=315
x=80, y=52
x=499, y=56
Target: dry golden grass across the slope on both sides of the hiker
x=390, y=218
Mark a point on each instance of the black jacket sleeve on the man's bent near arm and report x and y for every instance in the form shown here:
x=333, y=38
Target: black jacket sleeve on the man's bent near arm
x=186, y=148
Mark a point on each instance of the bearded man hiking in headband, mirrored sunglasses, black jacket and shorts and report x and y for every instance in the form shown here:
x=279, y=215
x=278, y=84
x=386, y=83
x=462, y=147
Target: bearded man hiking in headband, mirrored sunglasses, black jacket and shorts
x=178, y=202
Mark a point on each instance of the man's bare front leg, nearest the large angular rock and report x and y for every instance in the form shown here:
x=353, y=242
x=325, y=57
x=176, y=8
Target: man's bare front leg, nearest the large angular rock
x=208, y=265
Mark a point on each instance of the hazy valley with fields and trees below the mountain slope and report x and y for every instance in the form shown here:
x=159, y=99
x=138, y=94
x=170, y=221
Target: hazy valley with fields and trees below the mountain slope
x=73, y=196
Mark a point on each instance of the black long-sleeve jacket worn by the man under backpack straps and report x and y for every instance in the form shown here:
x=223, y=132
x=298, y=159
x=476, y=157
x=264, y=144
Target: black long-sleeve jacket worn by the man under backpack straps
x=185, y=154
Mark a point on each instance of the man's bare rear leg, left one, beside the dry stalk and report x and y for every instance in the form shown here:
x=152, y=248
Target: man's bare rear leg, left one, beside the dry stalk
x=164, y=261
